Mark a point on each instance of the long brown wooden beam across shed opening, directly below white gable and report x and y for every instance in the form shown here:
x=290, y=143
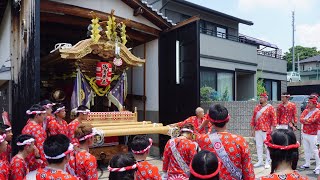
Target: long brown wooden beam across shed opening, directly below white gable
x=66, y=9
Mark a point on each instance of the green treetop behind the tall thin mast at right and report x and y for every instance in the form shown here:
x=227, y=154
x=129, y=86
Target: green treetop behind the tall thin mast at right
x=304, y=52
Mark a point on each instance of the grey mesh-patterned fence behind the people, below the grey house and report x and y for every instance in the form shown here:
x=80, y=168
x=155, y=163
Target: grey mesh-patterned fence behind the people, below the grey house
x=241, y=113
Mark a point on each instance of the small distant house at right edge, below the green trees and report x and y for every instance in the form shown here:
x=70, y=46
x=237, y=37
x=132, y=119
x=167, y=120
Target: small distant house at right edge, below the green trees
x=309, y=68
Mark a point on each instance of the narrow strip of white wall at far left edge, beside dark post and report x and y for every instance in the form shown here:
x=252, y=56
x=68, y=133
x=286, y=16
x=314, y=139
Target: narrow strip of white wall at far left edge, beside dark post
x=5, y=28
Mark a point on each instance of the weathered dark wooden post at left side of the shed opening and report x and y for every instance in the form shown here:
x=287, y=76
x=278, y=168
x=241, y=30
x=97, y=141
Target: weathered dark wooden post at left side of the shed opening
x=25, y=50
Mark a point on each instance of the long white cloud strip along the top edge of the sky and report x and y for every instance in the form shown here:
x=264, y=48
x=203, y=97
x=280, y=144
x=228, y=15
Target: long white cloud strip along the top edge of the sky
x=284, y=5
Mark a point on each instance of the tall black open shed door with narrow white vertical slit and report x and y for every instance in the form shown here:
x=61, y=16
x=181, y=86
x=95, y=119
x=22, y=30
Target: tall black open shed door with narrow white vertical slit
x=178, y=101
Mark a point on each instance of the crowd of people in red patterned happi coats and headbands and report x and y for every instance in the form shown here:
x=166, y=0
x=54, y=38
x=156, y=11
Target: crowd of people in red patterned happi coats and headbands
x=50, y=148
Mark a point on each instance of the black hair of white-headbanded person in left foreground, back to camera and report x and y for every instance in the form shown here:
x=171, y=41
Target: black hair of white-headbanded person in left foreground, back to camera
x=54, y=146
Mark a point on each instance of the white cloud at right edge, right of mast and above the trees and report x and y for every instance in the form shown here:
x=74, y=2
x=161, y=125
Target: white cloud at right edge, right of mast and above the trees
x=308, y=35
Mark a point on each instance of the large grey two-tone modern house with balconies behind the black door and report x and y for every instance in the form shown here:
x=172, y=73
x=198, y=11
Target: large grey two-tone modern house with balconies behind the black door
x=230, y=62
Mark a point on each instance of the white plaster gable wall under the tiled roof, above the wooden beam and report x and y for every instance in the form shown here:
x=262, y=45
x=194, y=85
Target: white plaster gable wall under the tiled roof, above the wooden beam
x=121, y=9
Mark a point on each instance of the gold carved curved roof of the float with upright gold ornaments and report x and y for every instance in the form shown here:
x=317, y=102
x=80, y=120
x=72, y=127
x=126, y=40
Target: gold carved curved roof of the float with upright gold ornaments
x=109, y=44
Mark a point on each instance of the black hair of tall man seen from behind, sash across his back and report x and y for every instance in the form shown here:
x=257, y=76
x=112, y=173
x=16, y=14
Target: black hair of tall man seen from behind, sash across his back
x=218, y=112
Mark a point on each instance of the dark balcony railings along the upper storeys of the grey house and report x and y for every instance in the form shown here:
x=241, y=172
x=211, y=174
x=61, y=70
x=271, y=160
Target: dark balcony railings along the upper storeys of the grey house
x=274, y=53
